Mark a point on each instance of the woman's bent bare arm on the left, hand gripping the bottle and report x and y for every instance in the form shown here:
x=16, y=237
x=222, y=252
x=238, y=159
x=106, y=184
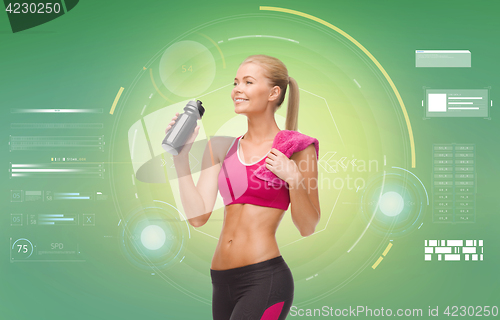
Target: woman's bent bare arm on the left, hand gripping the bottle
x=197, y=201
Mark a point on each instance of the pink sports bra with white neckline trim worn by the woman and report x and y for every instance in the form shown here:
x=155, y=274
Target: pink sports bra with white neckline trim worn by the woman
x=238, y=184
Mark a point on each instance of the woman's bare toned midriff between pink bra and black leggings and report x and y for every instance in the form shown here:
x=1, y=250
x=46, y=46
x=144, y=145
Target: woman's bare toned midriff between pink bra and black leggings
x=248, y=236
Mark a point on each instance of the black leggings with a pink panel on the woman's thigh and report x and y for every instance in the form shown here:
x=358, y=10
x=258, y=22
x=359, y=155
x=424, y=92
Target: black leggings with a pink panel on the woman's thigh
x=262, y=290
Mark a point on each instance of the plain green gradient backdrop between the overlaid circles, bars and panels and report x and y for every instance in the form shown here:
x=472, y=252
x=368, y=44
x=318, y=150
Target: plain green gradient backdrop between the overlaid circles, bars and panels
x=81, y=59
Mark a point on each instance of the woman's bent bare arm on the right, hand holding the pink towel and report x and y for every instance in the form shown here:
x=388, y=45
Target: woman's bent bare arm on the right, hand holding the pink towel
x=301, y=173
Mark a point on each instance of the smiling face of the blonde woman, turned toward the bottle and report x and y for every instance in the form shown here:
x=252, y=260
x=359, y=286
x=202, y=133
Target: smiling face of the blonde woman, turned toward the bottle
x=252, y=91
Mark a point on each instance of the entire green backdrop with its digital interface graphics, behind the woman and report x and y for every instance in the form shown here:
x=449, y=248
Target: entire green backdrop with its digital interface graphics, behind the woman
x=401, y=96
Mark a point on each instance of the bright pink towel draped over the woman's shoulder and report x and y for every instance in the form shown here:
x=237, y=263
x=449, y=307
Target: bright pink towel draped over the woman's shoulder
x=288, y=142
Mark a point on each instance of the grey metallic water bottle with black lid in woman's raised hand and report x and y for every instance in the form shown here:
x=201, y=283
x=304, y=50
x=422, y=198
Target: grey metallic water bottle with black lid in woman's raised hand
x=183, y=127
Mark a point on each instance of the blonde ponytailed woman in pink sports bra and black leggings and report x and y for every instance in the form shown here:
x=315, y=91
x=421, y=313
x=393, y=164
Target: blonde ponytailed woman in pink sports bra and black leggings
x=250, y=278
